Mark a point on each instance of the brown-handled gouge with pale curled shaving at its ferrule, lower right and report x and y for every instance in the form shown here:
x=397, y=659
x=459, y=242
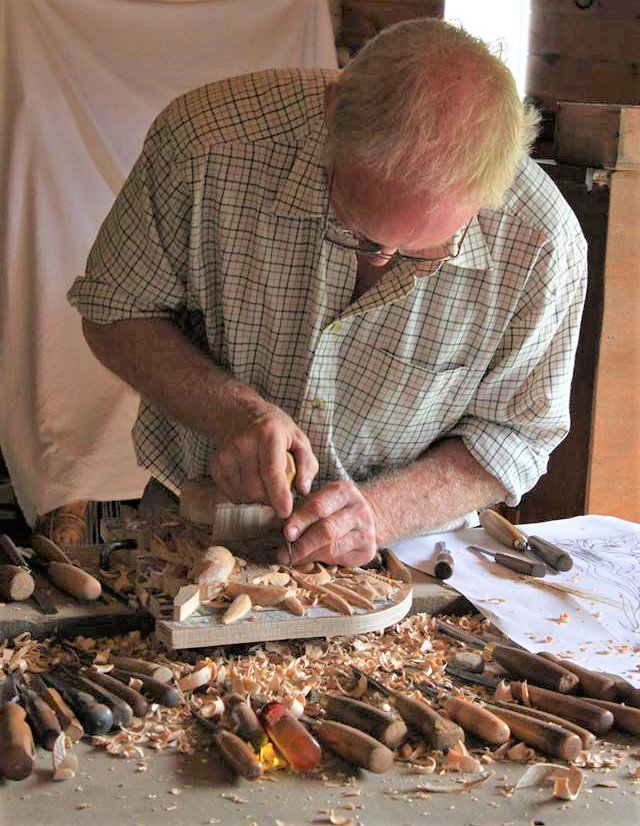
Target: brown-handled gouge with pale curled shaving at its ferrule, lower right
x=582, y=712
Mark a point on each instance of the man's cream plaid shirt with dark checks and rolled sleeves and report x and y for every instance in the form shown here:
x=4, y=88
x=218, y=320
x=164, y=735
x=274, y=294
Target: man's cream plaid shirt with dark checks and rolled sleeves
x=220, y=226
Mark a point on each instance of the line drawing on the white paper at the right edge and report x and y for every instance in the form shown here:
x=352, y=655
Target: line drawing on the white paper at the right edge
x=613, y=560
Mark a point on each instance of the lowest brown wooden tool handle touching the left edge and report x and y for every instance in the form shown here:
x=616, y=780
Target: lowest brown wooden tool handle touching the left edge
x=17, y=749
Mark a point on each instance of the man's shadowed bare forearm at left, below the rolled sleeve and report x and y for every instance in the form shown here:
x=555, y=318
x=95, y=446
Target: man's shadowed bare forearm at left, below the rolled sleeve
x=158, y=361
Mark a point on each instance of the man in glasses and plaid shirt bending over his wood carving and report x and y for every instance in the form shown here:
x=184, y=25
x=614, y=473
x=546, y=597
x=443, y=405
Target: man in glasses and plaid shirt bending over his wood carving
x=362, y=268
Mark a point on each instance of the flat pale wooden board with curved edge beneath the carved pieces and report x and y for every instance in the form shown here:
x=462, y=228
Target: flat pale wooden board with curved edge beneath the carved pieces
x=204, y=629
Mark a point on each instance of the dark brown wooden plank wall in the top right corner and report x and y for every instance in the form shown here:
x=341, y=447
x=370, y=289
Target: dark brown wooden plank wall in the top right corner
x=584, y=50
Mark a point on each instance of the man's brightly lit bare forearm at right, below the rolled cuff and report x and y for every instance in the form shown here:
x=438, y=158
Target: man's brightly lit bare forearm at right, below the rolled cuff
x=444, y=484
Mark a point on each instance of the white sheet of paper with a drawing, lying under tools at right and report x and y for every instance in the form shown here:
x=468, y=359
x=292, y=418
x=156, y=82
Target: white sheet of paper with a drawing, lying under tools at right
x=601, y=633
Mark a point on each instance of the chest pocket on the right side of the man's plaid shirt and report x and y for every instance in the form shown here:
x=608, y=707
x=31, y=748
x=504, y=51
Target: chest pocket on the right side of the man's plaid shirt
x=389, y=410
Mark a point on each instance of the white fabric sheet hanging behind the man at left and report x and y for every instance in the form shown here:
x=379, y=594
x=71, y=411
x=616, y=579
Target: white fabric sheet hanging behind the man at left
x=80, y=83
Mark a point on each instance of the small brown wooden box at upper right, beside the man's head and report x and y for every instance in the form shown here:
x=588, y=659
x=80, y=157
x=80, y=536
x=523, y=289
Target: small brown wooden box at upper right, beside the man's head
x=598, y=134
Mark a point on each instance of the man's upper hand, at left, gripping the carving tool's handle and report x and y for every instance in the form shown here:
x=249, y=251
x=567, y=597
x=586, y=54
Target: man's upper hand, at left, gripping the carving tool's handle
x=250, y=460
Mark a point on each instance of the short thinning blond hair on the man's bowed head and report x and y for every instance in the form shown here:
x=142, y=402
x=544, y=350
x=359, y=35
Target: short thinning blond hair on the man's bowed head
x=427, y=105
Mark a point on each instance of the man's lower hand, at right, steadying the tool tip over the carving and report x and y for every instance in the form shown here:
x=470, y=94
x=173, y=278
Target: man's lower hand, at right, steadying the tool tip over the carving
x=334, y=525
